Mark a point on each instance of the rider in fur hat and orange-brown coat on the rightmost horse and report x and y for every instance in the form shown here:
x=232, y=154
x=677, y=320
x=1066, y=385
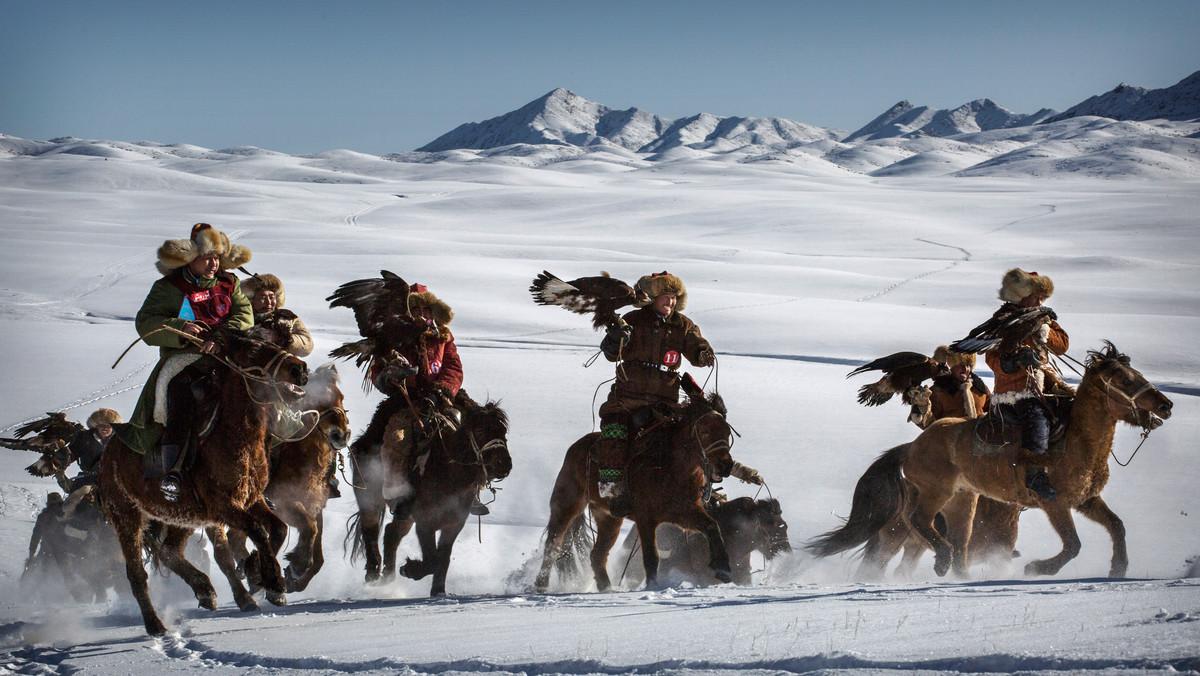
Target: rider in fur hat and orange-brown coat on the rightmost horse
x=1023, y=374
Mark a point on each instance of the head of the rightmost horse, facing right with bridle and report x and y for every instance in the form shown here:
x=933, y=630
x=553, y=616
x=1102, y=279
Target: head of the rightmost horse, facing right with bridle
x=1131, y=398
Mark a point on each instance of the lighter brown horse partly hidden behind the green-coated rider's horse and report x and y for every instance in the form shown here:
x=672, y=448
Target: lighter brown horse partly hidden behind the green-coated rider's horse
x=298, y=490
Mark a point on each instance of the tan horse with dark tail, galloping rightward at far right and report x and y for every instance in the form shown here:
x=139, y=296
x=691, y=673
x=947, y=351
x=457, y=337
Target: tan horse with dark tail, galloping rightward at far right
x=940, y=463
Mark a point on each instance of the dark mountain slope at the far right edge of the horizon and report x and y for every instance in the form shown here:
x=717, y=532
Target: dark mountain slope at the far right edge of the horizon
x=1126, y=103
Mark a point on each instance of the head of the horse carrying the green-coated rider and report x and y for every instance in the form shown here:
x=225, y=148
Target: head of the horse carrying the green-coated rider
x=268, y=370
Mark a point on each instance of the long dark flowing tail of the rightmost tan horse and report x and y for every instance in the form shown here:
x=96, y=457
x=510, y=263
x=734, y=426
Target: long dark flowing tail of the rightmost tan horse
x=879, y=498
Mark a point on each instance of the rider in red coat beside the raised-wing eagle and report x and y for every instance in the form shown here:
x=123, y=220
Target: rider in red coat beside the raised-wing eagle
x=429, y=394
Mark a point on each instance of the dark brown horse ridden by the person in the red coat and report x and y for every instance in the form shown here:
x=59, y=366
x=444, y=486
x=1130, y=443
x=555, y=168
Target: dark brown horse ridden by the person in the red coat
x=461, y=463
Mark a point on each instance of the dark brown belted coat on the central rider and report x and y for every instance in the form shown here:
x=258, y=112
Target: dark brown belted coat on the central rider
x=659, y=342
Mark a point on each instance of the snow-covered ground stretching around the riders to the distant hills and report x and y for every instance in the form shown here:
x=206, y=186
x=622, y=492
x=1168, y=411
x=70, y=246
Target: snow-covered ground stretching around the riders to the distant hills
x=793, y=278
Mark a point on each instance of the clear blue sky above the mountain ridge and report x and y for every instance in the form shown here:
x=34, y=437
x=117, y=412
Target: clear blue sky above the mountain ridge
x=385, y=77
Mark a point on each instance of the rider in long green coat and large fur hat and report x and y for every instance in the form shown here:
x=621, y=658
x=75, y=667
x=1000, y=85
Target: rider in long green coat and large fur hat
x=195, y=296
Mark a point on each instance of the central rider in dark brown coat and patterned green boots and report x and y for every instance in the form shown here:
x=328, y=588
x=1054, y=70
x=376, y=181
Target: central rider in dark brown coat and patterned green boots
x=647, y=346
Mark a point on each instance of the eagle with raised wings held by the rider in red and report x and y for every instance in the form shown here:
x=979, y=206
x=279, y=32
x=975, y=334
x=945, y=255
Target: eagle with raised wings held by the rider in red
x=382, y=313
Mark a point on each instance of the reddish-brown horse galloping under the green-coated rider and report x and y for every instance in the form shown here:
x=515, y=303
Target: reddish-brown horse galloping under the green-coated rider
x=225, y=483
